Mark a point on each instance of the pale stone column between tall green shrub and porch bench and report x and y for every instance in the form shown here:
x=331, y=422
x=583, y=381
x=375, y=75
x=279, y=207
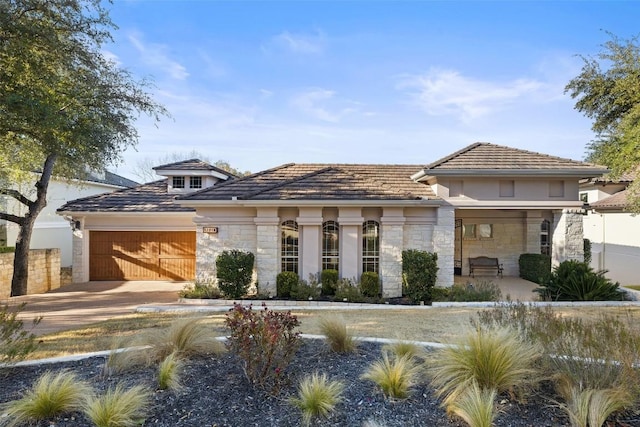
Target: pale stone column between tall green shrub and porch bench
x=443, y=245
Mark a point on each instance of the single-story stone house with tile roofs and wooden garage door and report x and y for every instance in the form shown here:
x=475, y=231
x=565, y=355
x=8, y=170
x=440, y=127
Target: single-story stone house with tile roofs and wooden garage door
x=485, y=199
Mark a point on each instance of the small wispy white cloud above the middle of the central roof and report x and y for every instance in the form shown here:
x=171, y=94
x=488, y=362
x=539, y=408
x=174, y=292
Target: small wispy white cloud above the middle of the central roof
x=322, y=104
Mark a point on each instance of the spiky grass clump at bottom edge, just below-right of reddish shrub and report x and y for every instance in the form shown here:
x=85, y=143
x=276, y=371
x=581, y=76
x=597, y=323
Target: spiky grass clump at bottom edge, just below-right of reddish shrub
x=317, y=396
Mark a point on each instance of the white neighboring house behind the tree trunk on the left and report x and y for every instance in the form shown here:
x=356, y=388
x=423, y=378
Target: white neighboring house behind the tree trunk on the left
x=54, y=231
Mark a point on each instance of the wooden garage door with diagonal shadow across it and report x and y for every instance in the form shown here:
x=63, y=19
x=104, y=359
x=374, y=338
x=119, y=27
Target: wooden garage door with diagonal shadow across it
x=142, y=255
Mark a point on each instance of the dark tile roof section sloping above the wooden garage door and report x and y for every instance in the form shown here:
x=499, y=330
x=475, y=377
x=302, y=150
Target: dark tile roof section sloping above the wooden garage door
x=151, y=197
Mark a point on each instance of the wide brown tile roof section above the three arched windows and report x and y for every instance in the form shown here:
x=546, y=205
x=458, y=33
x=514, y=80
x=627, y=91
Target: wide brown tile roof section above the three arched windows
x=322, y=182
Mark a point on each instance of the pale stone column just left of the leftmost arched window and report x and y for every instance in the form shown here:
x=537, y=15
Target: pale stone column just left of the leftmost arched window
x=267, y=249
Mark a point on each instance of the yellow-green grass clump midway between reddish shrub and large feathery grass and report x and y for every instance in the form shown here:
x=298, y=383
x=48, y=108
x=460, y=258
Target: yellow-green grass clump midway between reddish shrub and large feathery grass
x=396, y=376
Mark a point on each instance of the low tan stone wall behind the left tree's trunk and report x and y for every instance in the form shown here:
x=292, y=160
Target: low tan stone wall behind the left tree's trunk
x=44, y=271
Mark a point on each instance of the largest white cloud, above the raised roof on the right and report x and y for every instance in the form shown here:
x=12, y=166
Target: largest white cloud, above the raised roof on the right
x=446, y=92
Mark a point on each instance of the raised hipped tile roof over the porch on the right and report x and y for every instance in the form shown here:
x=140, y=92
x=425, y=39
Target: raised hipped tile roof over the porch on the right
x=487, y=156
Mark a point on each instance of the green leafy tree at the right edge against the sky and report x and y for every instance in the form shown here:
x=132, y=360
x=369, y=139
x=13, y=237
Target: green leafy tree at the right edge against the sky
x=608, y=92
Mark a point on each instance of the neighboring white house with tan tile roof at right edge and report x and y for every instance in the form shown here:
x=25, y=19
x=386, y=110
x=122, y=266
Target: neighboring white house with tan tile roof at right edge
x=614, y=233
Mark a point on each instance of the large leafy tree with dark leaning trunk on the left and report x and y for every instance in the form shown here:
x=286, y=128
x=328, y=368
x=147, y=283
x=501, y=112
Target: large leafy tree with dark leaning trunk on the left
x=65, y=109
